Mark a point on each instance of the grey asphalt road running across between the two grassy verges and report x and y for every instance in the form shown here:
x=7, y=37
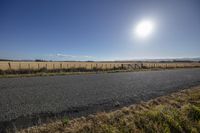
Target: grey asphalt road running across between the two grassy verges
x=26, y=99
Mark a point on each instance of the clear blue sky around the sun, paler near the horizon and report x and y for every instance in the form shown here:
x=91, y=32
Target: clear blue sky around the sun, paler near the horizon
x=98, y=29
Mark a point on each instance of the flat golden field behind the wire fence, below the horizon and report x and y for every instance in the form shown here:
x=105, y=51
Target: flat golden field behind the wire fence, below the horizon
x=5, y=65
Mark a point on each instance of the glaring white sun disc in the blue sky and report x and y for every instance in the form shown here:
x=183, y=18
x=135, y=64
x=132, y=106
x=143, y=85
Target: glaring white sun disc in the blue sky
x=144, y=28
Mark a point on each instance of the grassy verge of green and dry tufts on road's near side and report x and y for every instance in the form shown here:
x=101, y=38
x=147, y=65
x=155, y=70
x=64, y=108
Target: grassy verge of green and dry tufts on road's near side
x=178, y=112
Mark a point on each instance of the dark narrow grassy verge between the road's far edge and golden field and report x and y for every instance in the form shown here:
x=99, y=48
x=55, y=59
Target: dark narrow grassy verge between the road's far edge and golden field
x=73, y=71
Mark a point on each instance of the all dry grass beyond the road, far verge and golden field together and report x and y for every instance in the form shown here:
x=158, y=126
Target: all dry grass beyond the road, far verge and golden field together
x=28, y=69
